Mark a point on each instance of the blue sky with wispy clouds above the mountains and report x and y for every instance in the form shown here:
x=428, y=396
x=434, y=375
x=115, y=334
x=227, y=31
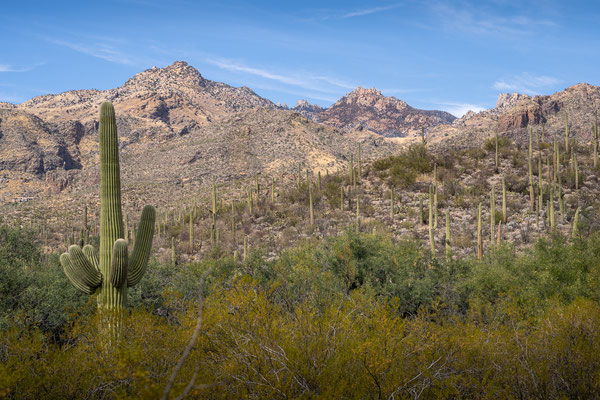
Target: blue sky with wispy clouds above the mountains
x=449, y=55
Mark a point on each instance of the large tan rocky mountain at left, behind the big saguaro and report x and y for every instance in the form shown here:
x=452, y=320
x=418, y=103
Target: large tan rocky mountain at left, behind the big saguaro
x=175, y=129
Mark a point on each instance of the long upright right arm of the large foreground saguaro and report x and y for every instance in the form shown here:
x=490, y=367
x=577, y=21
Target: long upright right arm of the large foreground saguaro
x=143, y=245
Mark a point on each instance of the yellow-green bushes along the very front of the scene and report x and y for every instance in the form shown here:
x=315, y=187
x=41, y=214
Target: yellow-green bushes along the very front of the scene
x=353, y=347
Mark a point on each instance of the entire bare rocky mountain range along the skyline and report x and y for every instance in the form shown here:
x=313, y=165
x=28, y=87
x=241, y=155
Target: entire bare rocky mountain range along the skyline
x=160, y=106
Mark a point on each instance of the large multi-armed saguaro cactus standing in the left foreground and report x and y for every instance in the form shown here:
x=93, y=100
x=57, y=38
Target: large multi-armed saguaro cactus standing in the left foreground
x=116, y=270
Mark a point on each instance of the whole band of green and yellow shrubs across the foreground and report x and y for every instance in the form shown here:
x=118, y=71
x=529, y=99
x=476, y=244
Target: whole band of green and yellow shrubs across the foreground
x=354, y=316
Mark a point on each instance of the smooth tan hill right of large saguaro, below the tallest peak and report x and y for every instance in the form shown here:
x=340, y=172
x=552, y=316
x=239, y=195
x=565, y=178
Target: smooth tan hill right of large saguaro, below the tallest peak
x=255, y=141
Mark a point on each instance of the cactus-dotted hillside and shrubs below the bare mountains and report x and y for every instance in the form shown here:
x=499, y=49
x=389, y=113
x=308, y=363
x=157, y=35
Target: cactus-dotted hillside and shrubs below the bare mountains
x=472, y=273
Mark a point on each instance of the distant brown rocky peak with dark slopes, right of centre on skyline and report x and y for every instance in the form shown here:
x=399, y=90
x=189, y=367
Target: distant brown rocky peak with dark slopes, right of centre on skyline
x=388, y=116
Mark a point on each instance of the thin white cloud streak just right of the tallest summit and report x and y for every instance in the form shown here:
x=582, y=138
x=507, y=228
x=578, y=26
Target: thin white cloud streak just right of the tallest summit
x=318, y=83
